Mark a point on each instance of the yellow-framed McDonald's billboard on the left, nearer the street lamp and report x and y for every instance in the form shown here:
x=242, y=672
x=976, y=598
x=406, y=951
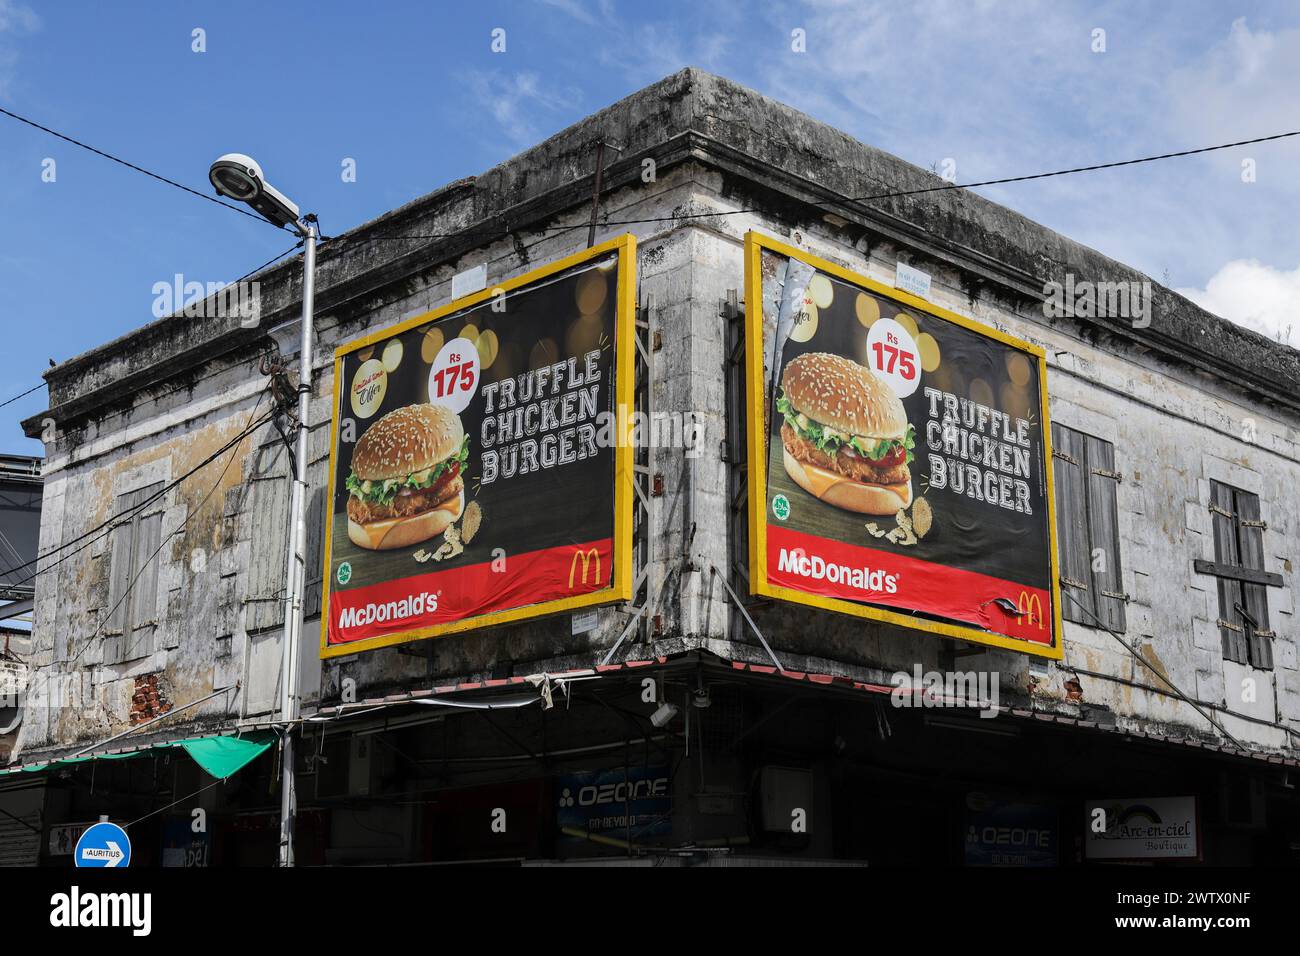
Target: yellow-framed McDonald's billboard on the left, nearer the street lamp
x=480, y=466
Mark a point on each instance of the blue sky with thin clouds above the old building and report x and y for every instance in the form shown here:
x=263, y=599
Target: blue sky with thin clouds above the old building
x=414, y=94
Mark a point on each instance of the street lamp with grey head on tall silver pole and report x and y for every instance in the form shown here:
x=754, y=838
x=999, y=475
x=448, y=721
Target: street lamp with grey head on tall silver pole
x=240, y=178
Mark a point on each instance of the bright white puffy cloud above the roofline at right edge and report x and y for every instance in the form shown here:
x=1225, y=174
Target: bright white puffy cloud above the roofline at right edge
x=1255, y=296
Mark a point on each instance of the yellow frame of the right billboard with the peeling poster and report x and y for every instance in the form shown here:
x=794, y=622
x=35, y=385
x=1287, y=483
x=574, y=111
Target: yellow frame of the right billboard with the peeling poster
x=757, y=440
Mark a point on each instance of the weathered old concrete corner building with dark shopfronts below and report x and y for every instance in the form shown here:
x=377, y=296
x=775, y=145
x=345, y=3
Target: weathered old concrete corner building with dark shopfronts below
x=1185, y=423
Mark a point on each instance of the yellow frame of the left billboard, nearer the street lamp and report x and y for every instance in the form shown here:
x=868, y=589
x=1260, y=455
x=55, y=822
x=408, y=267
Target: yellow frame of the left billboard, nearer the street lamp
x=621, y=586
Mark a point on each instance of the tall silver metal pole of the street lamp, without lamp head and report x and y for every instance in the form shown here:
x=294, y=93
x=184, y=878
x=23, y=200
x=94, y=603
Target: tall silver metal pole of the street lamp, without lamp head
x=297, y=568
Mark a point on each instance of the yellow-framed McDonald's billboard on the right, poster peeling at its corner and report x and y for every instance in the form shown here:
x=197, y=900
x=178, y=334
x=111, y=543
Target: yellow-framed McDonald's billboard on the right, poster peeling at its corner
x=899, y=457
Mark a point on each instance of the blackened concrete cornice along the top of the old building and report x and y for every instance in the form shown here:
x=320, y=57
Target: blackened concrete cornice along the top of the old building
x=770, y=154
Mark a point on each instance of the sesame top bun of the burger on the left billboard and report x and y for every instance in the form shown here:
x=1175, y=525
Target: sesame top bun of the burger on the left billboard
x=408, y=440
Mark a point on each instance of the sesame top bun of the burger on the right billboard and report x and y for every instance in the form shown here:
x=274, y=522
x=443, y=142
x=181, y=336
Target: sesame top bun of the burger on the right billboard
x=839, y=392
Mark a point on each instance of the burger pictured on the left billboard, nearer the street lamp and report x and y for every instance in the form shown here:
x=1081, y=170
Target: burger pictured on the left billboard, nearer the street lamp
x=406, y=482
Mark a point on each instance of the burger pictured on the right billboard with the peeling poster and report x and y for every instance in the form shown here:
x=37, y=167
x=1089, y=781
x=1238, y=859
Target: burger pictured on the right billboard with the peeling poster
x=847, y=438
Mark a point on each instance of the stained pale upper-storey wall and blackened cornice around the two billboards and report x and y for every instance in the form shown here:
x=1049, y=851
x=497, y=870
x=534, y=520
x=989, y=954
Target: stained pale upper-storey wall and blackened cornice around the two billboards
x=1172, y=399
